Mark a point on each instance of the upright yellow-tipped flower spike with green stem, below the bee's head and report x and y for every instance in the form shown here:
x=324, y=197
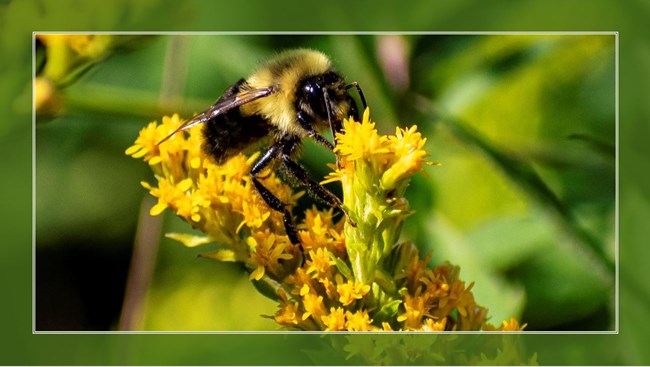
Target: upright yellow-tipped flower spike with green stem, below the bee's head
x=374, y=171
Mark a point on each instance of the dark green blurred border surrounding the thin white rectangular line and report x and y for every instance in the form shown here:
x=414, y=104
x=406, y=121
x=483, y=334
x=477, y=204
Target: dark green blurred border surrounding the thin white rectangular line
x=20, y=18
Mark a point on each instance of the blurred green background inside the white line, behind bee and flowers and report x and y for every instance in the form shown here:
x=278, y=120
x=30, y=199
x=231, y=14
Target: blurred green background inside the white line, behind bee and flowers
x=524, y=126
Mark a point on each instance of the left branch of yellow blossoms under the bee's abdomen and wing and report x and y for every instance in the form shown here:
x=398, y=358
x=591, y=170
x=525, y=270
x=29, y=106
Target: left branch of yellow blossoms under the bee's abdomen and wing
x=219, y=200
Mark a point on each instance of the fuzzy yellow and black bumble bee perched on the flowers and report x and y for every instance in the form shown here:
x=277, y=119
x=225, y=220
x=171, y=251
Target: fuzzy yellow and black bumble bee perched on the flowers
x=293, y=96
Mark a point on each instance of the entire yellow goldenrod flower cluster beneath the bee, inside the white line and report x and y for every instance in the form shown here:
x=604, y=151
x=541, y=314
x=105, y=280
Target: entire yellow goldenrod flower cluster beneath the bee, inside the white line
x=348, y=277
